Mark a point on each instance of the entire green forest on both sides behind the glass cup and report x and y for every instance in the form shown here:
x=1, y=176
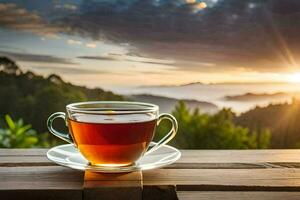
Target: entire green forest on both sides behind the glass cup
x=27, y=100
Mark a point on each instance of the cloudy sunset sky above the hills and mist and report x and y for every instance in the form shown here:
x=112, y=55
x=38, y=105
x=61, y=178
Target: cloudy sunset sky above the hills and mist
x=154, y=42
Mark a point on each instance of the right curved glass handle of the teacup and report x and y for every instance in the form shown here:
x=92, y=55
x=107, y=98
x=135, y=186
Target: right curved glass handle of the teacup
x=169, y=136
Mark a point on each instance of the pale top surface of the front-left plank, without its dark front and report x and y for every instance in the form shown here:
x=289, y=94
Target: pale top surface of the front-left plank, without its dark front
x=40, y=178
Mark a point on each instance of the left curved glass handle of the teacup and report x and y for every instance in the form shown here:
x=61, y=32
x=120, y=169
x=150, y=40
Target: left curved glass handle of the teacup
x=64, y=136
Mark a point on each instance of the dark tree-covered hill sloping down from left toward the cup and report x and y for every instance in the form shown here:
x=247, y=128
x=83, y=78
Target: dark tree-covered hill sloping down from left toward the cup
x=33, y=98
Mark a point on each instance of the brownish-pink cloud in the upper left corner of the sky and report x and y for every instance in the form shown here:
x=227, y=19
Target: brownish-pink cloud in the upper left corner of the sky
x=18, y=18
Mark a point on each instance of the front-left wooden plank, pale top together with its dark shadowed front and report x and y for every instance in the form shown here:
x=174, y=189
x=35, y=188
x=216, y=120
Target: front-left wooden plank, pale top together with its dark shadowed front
x=40, y=183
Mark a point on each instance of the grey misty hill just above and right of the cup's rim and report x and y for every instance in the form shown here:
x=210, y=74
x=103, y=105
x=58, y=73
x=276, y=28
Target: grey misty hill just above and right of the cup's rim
x=167, y=104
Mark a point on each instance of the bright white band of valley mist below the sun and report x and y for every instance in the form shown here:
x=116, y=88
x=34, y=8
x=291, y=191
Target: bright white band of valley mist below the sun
x=215, y=93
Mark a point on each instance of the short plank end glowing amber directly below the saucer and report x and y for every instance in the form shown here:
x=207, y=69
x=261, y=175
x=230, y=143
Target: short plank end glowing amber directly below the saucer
x=113, y=186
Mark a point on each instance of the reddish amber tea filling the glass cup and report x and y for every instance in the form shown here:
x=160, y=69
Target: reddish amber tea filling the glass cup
x=111, y=142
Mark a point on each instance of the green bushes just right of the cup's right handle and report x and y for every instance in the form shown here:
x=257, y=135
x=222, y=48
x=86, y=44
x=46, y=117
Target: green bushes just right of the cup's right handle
x=203, y=131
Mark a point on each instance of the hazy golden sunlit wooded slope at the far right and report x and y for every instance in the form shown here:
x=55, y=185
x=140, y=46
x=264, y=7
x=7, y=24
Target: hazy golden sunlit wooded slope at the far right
x=281, y=119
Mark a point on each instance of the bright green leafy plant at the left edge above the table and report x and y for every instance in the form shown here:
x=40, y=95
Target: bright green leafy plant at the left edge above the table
x=17, y=134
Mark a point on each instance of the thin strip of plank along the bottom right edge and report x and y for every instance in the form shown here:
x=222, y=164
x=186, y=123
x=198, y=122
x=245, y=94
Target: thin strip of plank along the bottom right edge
x=195, y=195
